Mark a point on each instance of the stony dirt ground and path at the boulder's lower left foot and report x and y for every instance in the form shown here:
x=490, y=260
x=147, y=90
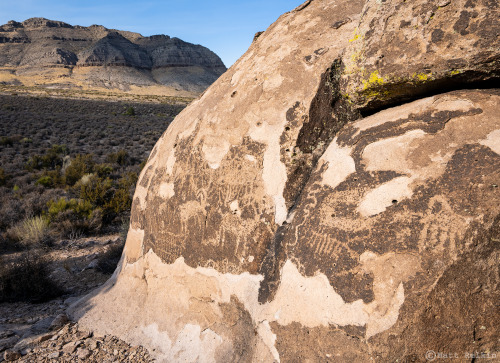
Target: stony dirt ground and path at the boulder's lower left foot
x=43, y=333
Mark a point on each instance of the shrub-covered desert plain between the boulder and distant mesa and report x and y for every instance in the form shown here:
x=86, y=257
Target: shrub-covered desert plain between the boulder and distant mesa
x=68, y=170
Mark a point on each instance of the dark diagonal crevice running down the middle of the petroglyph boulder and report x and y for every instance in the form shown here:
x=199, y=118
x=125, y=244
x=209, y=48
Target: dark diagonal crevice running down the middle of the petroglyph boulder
x=328, y=113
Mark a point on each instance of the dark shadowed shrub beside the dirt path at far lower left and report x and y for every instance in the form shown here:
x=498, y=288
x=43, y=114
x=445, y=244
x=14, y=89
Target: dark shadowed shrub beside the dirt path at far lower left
x=27, y=279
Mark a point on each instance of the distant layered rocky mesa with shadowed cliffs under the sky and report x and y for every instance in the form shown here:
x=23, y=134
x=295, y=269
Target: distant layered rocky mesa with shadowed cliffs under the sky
x=52, y=53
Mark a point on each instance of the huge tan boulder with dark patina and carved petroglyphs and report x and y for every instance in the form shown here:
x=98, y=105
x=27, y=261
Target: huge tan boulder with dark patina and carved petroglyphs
x=282, y=217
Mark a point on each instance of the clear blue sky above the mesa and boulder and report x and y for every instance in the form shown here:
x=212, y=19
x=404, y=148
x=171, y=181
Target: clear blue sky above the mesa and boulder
x=225, y=26
